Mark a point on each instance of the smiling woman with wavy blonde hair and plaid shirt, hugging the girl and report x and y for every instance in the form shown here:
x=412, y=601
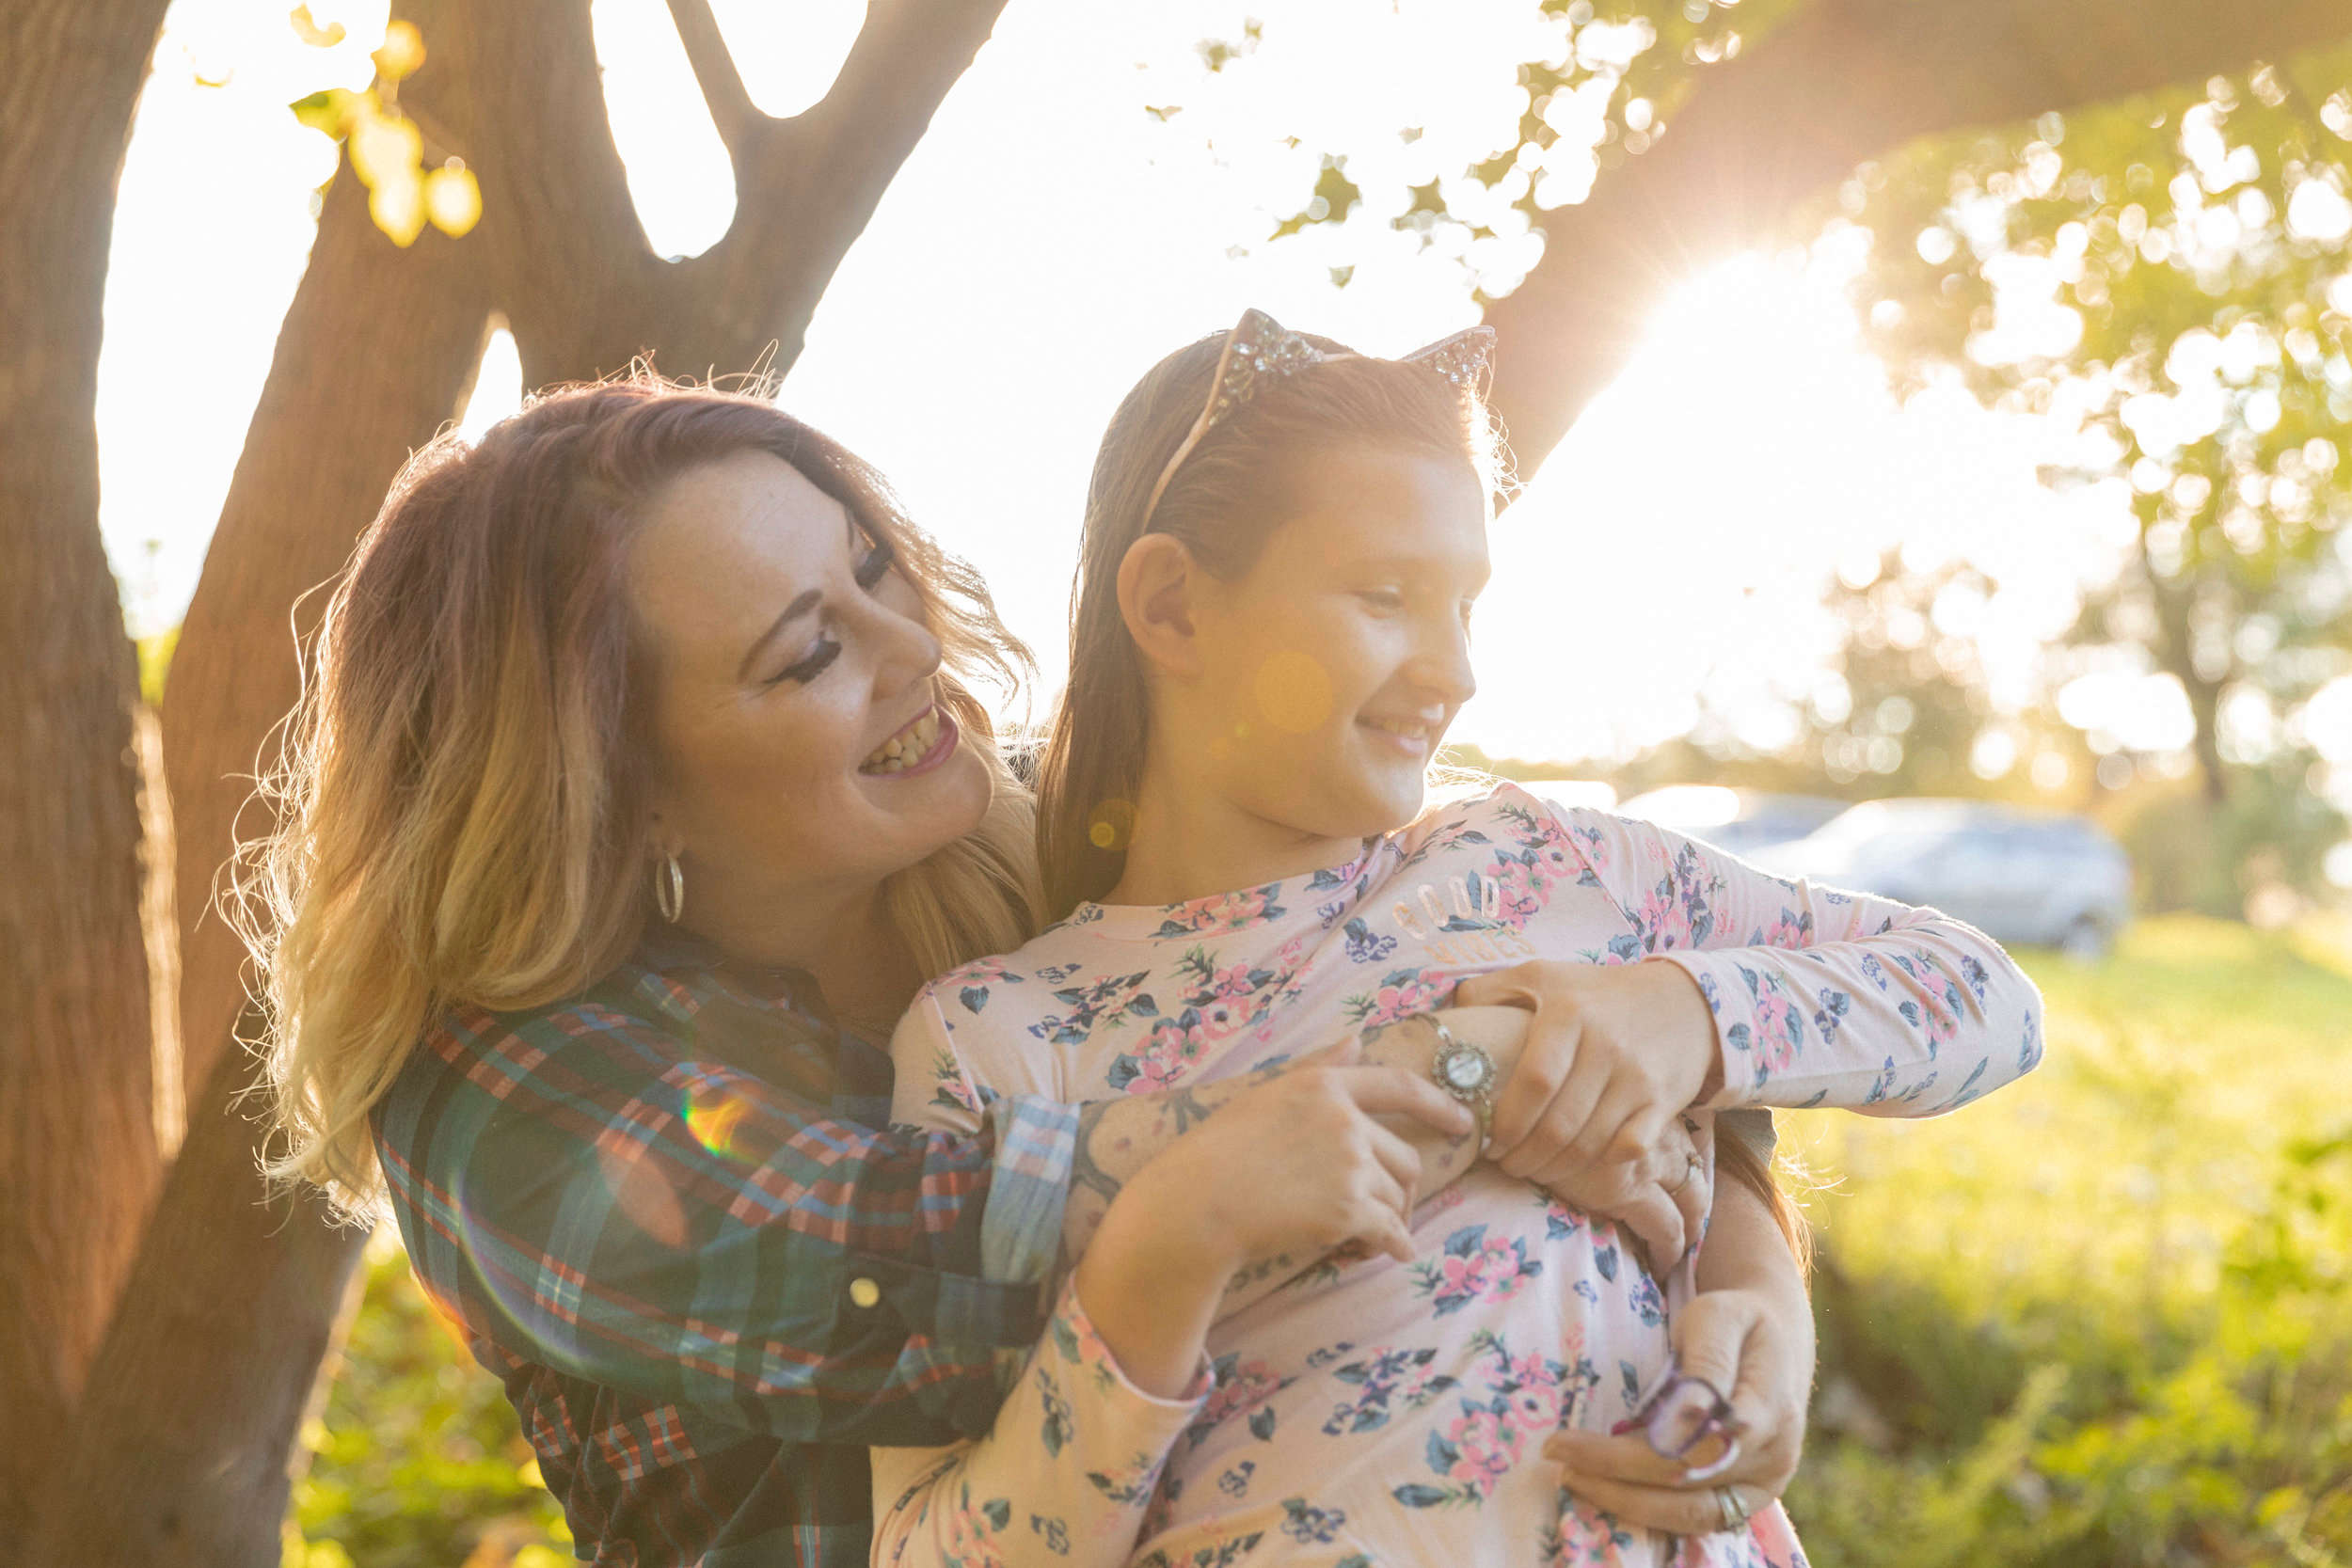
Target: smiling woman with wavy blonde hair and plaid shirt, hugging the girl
x=636, y=789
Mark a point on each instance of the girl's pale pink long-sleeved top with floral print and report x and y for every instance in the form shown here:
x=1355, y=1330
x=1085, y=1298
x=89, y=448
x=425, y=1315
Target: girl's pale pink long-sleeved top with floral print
x=1379, y=1414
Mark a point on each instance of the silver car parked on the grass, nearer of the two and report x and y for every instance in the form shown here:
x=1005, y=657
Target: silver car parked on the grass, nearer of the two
x=2036, y=878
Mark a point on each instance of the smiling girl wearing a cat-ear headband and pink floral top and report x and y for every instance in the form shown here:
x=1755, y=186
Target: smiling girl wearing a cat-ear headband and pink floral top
x=1271, y=641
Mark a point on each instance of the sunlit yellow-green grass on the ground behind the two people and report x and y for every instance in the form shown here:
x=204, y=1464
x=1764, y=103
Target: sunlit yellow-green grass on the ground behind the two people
x=2097, y=1320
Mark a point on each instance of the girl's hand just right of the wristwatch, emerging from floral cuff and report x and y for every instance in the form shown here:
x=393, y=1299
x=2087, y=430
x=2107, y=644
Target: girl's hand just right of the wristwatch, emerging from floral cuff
x=1615, y=1054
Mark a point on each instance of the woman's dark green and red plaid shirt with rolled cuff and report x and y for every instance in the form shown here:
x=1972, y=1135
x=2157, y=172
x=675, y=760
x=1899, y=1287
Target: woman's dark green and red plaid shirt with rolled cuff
x=667, y=1219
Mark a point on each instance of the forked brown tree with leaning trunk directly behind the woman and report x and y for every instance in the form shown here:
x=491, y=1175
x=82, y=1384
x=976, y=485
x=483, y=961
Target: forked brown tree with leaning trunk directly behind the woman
x=218, y=1341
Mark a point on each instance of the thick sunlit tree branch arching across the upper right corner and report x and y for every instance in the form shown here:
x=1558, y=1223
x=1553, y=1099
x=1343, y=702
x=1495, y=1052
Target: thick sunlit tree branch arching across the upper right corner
x=1840, y=83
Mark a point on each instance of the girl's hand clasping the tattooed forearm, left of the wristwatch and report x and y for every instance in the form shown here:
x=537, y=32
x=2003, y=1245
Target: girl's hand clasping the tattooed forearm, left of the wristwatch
x=1299, y=1165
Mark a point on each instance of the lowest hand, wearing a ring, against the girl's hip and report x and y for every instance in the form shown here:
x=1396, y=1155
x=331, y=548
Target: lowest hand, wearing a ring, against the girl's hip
x=1737, y=1343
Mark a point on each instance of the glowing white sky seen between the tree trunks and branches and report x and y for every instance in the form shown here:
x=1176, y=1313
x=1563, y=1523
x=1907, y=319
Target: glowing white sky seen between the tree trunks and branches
x=1050, y=239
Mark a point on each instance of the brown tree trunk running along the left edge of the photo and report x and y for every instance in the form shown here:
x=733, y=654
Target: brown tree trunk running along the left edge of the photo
x=79, y=1155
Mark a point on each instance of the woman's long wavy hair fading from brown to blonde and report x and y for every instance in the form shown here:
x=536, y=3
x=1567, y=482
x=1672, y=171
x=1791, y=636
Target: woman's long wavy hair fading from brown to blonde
x=462, y=796
